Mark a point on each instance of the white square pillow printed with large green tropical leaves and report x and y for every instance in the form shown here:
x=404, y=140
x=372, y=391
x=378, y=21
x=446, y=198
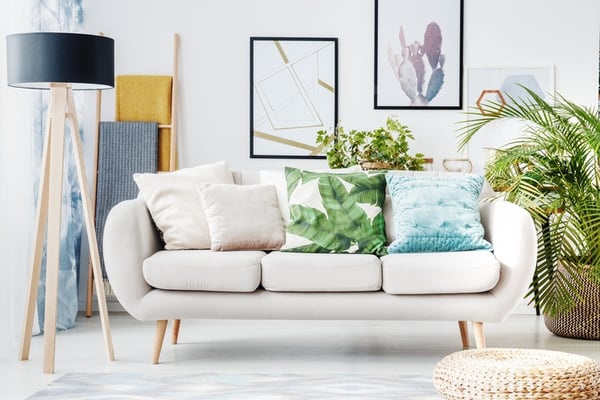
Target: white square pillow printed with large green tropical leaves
x=335, y=213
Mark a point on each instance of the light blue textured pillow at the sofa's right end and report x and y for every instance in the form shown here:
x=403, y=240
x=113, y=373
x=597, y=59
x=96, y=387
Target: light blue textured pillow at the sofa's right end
x=436, y=213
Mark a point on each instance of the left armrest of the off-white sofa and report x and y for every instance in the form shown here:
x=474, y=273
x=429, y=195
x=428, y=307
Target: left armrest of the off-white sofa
x=130, y=237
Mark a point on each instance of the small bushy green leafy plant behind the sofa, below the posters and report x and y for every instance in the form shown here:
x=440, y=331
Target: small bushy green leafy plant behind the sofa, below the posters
x=388, y=145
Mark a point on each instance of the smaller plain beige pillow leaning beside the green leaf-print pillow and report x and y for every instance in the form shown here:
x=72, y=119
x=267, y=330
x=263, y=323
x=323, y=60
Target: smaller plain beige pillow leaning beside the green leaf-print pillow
x=242, y=217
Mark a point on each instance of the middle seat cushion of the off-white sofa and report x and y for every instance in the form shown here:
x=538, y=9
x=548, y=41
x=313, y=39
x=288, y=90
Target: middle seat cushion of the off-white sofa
x=318, y=272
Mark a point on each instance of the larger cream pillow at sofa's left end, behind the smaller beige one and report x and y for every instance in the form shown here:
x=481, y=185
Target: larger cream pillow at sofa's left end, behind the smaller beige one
x=173, y=202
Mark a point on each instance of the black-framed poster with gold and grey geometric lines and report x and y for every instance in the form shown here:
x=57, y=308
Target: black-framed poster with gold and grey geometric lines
x=293, y=95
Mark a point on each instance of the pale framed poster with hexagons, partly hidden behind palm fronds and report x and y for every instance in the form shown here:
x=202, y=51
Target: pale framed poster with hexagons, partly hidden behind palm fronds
x=501, y=85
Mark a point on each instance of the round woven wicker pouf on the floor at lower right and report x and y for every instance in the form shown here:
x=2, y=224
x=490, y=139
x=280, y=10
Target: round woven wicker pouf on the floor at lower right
x=517, y=374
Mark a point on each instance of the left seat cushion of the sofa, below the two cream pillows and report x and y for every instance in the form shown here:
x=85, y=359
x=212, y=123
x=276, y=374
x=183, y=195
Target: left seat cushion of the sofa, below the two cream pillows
x=231, y=271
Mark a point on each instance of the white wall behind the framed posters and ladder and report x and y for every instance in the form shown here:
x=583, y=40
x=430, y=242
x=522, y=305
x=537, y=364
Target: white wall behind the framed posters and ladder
x=214, y=62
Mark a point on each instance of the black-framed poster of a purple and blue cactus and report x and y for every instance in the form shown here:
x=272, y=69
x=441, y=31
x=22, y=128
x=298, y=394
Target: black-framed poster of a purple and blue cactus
x=418, y=54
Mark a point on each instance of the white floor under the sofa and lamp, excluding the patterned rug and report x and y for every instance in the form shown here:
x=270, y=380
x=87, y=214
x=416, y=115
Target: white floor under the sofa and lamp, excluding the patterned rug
x=270, y=346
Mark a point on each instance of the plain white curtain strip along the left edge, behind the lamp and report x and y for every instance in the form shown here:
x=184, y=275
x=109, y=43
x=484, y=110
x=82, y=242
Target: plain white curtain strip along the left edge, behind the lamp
x=16, y=185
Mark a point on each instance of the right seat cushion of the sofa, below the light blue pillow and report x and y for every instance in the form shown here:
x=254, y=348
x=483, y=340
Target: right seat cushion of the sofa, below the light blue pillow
x=436, y=273
